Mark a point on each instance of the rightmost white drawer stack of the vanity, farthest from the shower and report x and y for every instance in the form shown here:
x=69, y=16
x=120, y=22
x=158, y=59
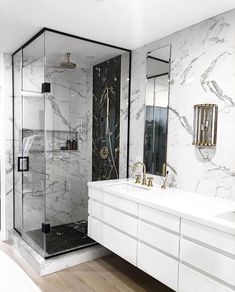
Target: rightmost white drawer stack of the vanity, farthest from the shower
x=208, y=258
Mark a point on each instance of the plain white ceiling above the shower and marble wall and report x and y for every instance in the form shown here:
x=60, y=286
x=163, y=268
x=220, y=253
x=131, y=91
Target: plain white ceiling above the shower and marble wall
x=125, y=23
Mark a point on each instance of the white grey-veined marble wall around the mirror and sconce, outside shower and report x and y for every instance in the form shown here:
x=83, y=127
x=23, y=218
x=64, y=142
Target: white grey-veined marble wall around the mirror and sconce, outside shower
x=202, y=71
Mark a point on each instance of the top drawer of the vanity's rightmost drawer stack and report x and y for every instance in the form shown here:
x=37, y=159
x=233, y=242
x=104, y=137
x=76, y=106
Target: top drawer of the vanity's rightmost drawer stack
x=210, y=236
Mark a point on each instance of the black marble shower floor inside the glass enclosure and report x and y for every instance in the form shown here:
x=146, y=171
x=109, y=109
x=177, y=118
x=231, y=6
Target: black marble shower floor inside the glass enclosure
x=62, y=237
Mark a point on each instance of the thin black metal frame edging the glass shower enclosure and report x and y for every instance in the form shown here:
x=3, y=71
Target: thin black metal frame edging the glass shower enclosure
x=45, y=29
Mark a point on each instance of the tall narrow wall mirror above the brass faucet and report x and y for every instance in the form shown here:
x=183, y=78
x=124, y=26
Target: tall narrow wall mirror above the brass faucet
x=156, y=110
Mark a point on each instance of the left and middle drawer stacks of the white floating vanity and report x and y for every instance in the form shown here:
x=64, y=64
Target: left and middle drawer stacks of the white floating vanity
x=144, y=236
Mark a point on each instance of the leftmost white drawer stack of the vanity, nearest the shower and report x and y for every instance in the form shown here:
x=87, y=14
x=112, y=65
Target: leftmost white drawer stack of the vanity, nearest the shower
x=112, y=222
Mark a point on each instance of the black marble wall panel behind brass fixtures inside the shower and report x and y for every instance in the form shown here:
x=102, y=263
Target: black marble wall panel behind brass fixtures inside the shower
x=106, y=119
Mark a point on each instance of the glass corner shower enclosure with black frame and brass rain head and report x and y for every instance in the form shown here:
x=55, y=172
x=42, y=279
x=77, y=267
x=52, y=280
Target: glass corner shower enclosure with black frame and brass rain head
x=70, y=127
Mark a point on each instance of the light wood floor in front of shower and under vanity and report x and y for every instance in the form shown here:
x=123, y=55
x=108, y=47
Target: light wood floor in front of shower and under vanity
x=107, y=274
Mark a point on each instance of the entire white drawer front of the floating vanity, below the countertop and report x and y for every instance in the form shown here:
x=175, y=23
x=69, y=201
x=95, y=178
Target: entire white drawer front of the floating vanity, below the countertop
x=184, y=255
